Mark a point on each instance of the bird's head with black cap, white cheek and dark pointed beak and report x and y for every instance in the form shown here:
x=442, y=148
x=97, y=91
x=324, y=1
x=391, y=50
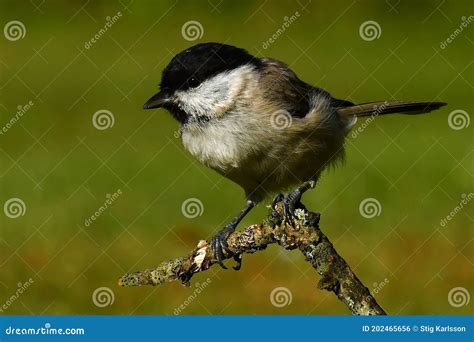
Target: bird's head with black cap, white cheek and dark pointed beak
x=203, y=82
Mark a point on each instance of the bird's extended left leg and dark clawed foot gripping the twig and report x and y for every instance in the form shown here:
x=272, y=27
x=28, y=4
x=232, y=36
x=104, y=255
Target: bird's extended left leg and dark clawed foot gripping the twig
x=219, y=242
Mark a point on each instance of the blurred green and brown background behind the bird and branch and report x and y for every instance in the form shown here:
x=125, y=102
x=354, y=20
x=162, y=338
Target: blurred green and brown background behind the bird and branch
x=62, y=167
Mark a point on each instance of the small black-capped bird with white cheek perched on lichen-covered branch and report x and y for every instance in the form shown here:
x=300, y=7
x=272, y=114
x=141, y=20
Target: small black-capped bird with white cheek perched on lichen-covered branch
x=255, y=122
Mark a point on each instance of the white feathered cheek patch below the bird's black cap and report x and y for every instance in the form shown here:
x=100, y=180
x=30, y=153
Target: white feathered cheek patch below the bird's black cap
x=215, y=95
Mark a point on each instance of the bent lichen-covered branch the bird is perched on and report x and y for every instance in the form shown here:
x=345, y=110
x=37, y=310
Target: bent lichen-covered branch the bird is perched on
x=336, y=275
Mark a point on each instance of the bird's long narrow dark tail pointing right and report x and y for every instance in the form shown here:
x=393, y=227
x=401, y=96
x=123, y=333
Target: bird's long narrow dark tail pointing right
x=389, y=107
